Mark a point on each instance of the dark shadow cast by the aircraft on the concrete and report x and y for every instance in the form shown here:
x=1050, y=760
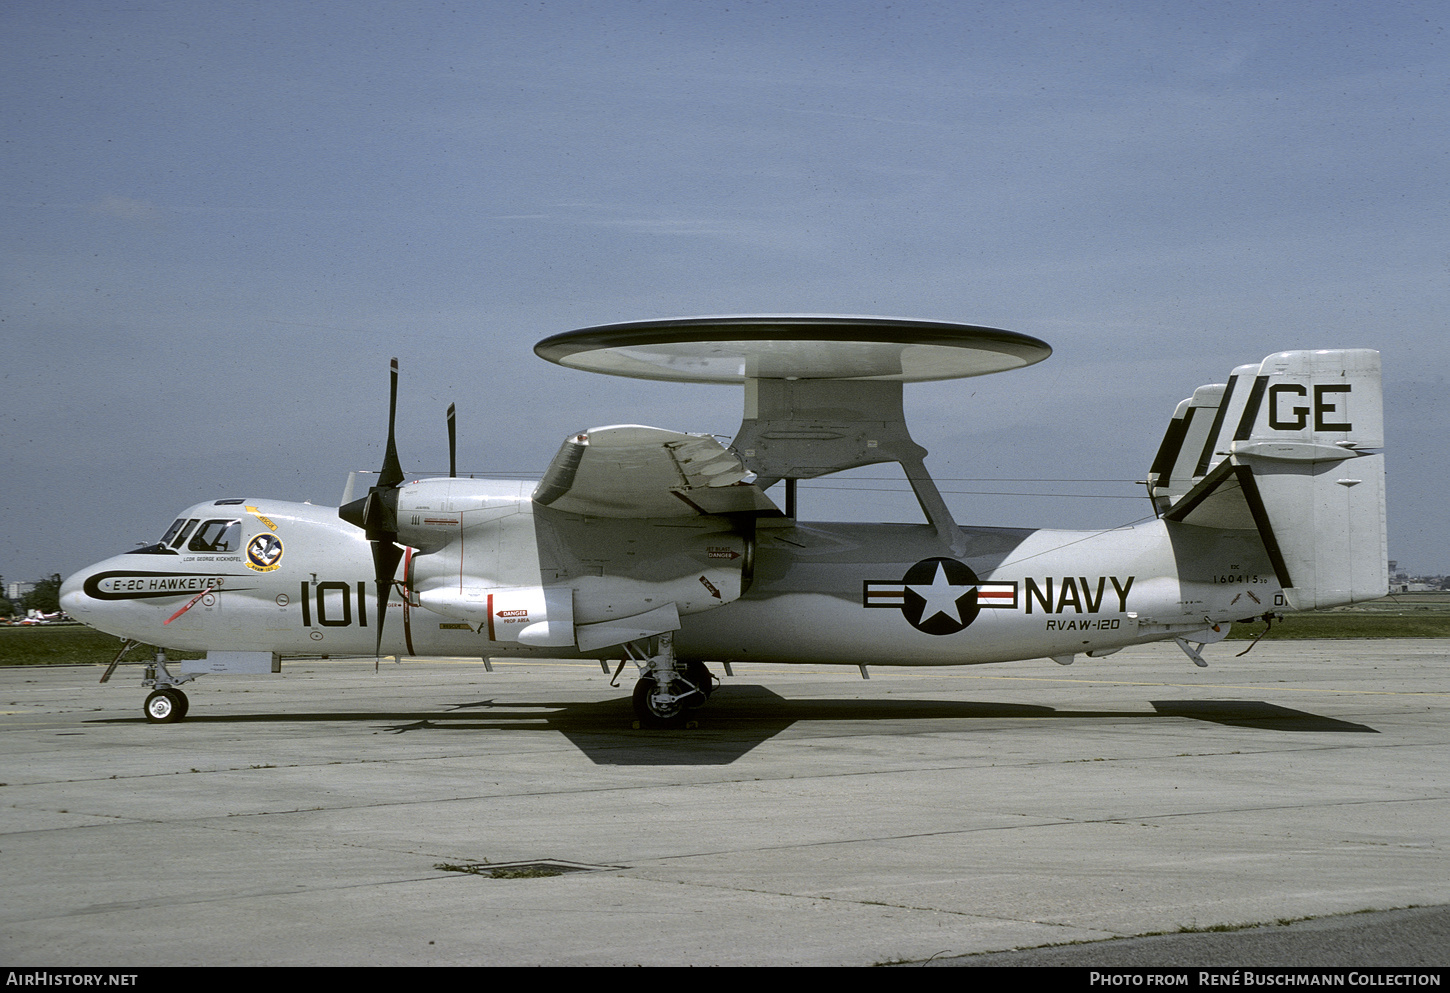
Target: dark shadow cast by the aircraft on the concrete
x=740, y=718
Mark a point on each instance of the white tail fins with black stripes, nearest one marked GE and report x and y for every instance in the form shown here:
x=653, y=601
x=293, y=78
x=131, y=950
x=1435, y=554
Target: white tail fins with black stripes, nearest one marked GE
x=1298, y=457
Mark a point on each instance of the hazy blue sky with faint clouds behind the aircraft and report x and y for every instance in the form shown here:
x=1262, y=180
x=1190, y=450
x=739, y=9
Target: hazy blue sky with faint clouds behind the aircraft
x=223, y=220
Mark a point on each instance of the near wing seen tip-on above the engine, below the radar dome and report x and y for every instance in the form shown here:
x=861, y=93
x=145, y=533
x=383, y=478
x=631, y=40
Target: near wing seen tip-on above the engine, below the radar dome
x=639, y=472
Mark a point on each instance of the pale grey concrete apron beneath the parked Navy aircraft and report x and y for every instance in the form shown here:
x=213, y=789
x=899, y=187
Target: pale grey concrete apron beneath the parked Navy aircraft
x=336, y=817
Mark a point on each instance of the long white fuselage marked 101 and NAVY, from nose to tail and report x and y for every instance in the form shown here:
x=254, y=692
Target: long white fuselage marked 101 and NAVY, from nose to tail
x=301, y=582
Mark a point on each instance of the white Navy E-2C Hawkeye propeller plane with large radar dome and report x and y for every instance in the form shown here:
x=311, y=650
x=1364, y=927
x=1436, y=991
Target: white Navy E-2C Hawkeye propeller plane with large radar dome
x=663, y=549
